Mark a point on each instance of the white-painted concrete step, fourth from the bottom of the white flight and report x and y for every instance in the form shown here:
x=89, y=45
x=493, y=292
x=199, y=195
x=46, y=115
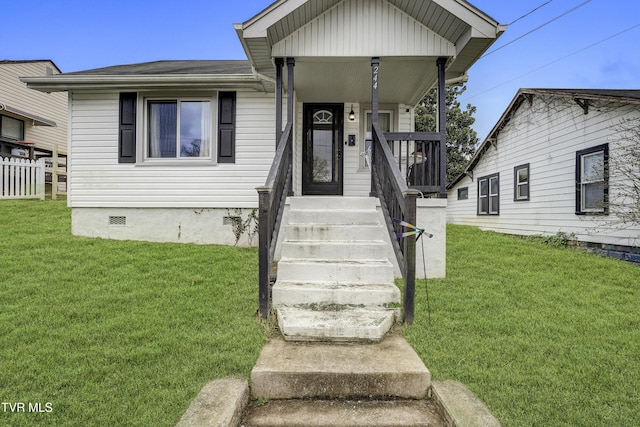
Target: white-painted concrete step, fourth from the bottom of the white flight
x=335, y=250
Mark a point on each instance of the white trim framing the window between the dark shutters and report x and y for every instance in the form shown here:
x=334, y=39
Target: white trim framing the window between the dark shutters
x=143, y=129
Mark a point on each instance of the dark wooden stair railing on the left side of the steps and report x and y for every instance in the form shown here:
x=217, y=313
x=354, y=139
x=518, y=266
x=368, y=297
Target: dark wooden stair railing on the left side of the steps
x=271, y=198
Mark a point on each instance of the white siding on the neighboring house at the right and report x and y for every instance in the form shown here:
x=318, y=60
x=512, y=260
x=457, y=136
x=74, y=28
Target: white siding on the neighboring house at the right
x=546, y=135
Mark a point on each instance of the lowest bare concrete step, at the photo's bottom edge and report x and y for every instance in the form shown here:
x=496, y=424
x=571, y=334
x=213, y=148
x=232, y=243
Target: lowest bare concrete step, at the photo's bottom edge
x=345, y=413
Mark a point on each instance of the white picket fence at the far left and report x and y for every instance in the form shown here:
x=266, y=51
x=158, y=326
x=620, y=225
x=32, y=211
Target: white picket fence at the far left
x=21, y=178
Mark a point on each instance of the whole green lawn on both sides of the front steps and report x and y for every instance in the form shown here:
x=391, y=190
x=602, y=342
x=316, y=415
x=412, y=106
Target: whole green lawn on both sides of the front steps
x=115, y=333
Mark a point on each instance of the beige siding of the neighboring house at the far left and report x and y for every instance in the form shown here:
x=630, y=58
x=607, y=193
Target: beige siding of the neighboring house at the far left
x=51, y=106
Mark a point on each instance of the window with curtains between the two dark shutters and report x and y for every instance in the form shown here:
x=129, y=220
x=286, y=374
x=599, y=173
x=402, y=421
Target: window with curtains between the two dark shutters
x=179, y=129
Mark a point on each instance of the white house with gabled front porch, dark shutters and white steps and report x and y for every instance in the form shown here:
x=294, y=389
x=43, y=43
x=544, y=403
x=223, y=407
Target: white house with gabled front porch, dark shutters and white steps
x=168, y=150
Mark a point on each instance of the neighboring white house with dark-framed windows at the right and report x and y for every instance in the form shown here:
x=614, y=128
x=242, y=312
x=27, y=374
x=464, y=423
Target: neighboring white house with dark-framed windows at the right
x=552, y=164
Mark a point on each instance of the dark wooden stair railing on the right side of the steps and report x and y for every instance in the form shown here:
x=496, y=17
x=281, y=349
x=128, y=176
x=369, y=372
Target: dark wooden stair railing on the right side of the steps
x=398, y=203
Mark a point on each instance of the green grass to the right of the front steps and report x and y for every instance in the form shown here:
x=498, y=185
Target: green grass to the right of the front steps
x=545, y=336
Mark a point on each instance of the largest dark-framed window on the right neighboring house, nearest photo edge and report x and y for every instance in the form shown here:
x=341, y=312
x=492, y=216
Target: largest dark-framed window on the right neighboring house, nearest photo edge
x=592, y=180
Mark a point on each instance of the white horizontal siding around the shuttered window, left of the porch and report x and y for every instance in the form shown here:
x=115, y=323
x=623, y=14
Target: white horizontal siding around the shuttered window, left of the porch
x=98, y=180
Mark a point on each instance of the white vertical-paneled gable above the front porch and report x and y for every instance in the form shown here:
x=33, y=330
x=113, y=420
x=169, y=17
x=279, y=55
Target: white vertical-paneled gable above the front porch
x=356, y=28
